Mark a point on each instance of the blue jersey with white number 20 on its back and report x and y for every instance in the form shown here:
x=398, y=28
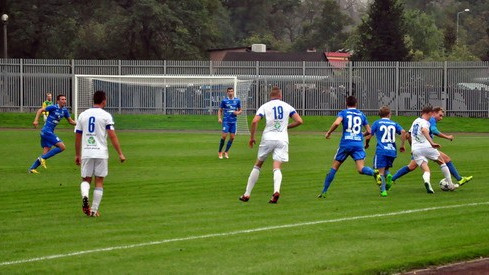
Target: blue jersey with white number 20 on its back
x=385, y=131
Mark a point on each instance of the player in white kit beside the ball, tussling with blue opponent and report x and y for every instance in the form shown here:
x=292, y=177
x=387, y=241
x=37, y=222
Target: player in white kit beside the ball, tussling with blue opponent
x=423, y=148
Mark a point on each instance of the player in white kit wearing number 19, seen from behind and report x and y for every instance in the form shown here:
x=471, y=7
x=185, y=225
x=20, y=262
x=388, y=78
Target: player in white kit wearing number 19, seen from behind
x=275, y=140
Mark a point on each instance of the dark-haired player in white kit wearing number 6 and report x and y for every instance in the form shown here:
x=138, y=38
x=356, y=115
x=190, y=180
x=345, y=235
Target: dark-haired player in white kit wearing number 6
x=91, y=149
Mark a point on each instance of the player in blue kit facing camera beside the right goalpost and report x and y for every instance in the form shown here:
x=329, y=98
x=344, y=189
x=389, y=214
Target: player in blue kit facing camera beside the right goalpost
x=229, y=109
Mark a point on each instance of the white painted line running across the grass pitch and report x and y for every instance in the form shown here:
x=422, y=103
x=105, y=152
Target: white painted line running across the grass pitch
x=225, y=234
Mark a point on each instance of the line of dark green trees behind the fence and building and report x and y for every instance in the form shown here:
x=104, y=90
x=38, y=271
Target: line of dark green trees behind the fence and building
x=410, y=30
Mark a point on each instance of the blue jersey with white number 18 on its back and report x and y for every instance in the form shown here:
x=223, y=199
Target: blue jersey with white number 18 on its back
x=353, y=121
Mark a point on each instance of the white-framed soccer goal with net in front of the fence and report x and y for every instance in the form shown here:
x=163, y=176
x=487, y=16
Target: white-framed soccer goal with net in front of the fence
x=169, y=95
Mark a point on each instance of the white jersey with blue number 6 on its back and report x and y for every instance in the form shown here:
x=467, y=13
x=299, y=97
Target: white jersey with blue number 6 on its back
x=93, y=125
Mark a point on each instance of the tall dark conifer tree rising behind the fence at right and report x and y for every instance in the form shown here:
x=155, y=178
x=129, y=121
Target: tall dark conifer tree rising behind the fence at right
x=382, y=33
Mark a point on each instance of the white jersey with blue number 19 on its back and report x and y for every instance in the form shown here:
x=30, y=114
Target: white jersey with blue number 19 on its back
x=276, y=113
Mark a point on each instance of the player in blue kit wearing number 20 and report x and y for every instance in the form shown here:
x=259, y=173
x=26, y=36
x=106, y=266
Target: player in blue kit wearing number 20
x=385, y=131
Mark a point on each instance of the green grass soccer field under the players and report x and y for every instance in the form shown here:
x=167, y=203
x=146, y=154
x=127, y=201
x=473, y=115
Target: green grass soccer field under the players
x=173, y=208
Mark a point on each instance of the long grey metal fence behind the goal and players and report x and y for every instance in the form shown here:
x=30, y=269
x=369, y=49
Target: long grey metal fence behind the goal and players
x=313, y=88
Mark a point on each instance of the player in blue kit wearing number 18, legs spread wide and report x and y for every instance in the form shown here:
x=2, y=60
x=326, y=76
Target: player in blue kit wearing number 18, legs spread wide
x=351, y=143
